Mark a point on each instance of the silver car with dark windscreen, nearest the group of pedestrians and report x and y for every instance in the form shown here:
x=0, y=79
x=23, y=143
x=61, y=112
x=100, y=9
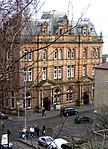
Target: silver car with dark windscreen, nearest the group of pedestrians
x=45, y=141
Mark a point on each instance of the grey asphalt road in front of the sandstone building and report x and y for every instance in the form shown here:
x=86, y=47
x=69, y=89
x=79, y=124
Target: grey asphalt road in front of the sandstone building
x=53, y=125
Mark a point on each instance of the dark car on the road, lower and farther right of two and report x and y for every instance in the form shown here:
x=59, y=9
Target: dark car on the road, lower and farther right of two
x=83, y=119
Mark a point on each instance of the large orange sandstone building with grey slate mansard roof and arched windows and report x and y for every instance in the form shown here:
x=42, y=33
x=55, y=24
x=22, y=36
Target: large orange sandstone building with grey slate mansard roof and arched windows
x=56, y=63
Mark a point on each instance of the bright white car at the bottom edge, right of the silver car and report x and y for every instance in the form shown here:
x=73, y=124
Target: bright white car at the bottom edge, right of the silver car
x=58, y=143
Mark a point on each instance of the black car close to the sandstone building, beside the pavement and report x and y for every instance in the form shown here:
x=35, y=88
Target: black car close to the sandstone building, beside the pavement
x=68, y=111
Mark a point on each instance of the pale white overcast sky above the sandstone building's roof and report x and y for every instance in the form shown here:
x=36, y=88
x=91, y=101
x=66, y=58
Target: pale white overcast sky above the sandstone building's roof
x=97, y=12
